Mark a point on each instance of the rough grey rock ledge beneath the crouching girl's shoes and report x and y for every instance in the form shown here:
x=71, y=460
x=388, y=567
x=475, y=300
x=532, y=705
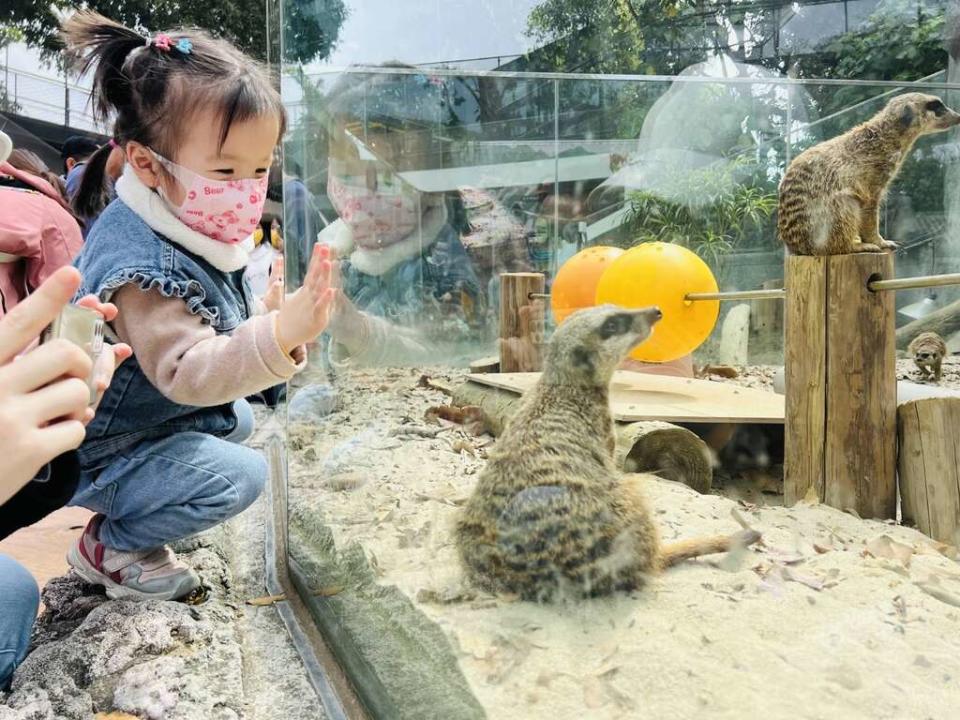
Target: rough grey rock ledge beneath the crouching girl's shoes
x=221, y=660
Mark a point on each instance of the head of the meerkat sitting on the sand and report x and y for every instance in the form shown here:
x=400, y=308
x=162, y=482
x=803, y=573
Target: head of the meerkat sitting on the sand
x=591, y=343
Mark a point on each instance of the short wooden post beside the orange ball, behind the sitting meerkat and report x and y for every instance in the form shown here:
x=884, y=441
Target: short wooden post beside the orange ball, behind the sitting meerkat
x=521, y=322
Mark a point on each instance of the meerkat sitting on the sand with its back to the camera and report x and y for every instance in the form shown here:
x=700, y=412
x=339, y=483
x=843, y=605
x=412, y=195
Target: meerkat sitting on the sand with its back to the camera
x=550, y=513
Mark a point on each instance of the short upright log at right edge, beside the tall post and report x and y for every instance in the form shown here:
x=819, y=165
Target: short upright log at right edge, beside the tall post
x=929, y=466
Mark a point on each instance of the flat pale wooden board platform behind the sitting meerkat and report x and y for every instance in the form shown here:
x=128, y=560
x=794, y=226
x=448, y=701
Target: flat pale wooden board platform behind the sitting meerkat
x=640, y=396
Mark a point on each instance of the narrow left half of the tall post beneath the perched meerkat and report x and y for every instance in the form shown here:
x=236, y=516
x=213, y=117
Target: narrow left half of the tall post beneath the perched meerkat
x=805, y=349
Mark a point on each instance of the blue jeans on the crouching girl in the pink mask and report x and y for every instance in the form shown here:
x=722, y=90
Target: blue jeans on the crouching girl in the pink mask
x=169, y=488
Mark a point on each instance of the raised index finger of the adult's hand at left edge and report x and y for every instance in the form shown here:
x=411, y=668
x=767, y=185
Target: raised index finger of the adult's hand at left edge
x=26, y=321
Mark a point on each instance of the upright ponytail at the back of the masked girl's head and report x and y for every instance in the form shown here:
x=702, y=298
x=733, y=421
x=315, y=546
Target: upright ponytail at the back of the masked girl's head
x=94, y=41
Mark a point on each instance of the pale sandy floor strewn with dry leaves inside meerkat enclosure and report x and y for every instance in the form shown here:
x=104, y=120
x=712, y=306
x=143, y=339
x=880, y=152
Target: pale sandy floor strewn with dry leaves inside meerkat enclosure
x=831, y=617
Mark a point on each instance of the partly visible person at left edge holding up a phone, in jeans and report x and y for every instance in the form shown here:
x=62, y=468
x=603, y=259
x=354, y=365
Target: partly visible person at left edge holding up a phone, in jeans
x=44, y=404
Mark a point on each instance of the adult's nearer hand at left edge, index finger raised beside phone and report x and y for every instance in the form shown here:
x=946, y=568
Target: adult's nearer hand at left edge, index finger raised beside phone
x=43, y=395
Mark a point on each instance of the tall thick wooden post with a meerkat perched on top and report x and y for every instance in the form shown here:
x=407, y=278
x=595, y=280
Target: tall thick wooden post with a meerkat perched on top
x=841, y=384
